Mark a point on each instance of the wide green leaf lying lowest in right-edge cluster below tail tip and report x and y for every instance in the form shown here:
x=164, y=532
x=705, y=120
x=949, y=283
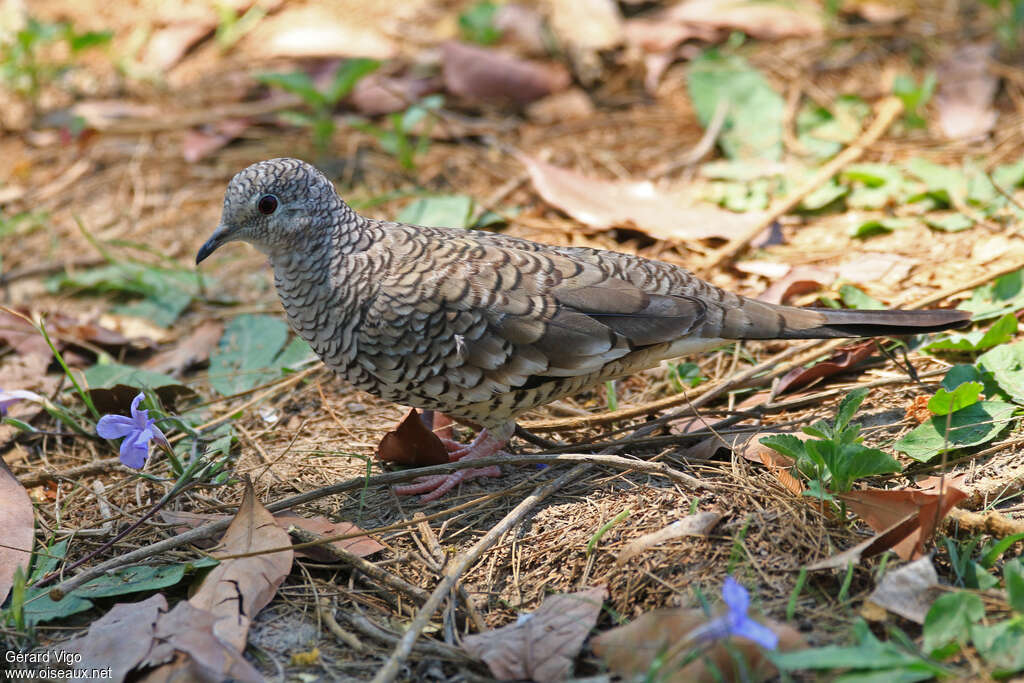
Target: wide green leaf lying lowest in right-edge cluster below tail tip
x=975, y=424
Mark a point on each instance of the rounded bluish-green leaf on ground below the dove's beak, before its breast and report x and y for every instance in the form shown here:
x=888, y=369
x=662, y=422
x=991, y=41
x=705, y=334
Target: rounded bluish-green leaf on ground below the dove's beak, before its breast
x=246, y=354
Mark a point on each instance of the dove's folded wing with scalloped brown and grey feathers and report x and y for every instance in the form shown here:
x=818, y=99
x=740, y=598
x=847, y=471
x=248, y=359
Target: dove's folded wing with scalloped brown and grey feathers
x=471, y=320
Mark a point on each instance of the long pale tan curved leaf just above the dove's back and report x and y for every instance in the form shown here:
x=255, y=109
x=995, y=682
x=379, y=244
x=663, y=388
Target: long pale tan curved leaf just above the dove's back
x=606, y=204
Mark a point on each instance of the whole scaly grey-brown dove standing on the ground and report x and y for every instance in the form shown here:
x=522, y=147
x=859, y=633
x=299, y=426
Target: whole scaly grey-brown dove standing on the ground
x=483, y=326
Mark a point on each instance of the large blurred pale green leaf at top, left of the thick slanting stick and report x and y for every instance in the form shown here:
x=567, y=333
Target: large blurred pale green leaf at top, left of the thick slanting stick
x=755, y=115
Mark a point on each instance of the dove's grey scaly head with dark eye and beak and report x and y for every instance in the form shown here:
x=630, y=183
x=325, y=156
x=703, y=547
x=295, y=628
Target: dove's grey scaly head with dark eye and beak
x=275, y=205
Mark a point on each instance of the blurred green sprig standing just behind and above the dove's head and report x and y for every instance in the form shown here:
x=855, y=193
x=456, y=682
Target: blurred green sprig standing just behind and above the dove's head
x=321, y=103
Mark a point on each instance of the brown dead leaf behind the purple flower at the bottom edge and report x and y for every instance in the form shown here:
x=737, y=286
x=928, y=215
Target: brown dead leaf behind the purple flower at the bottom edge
x=632, y=651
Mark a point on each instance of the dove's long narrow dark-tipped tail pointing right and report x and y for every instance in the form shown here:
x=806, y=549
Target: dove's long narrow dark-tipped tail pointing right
x=757, y=320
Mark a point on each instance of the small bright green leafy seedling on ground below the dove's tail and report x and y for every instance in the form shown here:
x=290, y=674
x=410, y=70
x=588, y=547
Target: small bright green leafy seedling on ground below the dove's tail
x=837, y=457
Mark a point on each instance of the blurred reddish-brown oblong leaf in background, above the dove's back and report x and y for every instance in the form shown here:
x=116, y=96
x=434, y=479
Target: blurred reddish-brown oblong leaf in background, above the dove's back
x=484, y=74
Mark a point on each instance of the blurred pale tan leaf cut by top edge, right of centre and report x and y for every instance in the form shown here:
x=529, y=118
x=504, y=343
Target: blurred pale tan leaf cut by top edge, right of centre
x=761, y=20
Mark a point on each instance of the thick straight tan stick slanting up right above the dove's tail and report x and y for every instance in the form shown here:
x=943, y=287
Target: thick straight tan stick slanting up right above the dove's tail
x=887, y=113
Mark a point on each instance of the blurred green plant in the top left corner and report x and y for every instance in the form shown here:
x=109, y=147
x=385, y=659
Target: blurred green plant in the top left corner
x=25, y=67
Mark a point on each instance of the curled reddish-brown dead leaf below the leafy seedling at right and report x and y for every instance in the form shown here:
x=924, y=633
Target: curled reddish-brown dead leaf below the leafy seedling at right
x=882, y=508
